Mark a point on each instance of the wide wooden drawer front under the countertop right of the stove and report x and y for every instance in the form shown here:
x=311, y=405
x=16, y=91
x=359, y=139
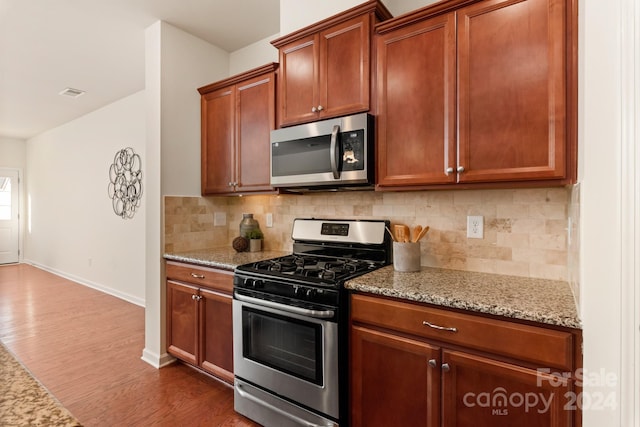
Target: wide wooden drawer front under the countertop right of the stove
x=540, y=346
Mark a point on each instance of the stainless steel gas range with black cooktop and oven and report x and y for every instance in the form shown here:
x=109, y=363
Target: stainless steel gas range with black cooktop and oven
x=290, y=317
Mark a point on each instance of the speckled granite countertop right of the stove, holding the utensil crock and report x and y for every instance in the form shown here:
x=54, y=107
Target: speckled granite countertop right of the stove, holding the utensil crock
x=539, y=300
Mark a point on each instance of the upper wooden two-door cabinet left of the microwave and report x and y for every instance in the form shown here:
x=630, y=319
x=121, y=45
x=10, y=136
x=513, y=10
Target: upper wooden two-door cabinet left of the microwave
x=237, y=115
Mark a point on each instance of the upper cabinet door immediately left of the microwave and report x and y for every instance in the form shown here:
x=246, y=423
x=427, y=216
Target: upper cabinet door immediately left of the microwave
x=255, y=120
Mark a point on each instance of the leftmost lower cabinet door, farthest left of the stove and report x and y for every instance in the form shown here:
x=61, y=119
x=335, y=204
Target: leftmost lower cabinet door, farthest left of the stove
x=182, y=321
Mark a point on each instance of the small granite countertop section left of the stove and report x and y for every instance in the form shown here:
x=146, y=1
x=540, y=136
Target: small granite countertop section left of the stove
x=225, y=258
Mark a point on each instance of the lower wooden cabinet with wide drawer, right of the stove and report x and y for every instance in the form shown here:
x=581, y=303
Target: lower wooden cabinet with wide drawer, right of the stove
x=426, y=378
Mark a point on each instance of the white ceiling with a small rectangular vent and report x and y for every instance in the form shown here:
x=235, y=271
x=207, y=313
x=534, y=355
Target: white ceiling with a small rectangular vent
x=98, y=46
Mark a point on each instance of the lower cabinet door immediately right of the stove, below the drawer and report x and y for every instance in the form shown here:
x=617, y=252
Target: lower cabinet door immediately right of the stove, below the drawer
x=392, y=381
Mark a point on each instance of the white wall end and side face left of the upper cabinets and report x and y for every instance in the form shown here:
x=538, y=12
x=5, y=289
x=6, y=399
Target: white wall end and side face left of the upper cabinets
x=176, y=64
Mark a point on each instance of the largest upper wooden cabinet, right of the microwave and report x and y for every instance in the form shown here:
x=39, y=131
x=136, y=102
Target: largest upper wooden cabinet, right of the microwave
x=480, y=94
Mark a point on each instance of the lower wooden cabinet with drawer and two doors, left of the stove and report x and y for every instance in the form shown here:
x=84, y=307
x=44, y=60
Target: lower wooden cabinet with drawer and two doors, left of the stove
x=199, y=328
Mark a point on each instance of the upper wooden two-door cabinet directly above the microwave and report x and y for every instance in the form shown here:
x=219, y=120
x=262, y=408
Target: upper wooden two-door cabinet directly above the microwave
x=325, y=69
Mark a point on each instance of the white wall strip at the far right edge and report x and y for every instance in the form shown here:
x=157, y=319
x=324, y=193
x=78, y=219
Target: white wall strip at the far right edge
x=607, y=46
